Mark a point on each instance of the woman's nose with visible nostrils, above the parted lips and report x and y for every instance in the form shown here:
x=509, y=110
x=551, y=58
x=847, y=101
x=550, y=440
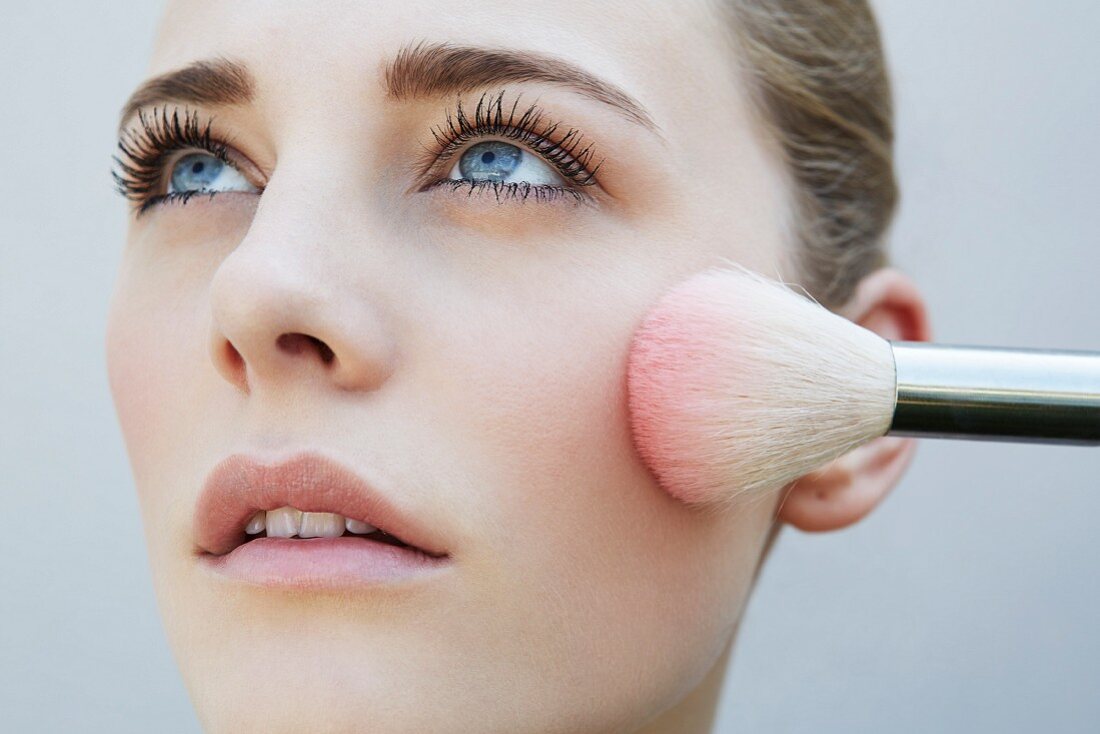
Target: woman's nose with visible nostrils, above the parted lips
x=284, y=314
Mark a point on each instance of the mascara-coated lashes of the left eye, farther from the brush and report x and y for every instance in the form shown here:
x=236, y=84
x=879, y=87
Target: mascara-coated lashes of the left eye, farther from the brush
x=139, y=173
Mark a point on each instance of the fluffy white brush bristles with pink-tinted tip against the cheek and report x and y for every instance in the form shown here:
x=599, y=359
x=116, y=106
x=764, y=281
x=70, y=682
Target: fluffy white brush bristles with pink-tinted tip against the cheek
x=740, y=386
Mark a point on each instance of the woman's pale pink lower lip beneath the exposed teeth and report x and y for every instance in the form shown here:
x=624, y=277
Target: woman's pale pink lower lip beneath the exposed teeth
x=324, y=563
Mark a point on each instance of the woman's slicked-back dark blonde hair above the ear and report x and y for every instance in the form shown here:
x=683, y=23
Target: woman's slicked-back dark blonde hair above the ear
x=821, y=82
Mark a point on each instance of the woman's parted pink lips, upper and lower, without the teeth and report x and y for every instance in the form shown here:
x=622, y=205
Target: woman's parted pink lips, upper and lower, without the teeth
x=240, y=486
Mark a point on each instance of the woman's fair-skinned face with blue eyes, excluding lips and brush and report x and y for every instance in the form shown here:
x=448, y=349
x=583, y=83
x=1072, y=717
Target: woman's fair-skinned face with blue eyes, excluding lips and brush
x=461, y=347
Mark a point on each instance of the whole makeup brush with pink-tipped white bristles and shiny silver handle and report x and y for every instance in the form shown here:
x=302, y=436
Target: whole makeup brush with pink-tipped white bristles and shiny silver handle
x=739, y=385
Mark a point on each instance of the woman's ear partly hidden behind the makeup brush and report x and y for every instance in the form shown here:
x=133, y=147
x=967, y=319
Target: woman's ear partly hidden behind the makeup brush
x=888, y=303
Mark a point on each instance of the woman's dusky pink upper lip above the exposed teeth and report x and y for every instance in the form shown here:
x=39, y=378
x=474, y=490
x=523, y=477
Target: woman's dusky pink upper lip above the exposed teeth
x=240, y=485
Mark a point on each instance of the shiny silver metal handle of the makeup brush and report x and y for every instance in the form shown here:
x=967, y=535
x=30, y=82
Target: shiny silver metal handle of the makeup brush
x=997, y=395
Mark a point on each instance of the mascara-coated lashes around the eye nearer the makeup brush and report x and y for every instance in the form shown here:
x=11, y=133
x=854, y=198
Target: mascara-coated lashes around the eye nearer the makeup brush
x=530, y=129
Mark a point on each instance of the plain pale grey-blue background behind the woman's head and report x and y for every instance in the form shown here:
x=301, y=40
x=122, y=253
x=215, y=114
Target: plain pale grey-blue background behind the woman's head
x=969, y=602
